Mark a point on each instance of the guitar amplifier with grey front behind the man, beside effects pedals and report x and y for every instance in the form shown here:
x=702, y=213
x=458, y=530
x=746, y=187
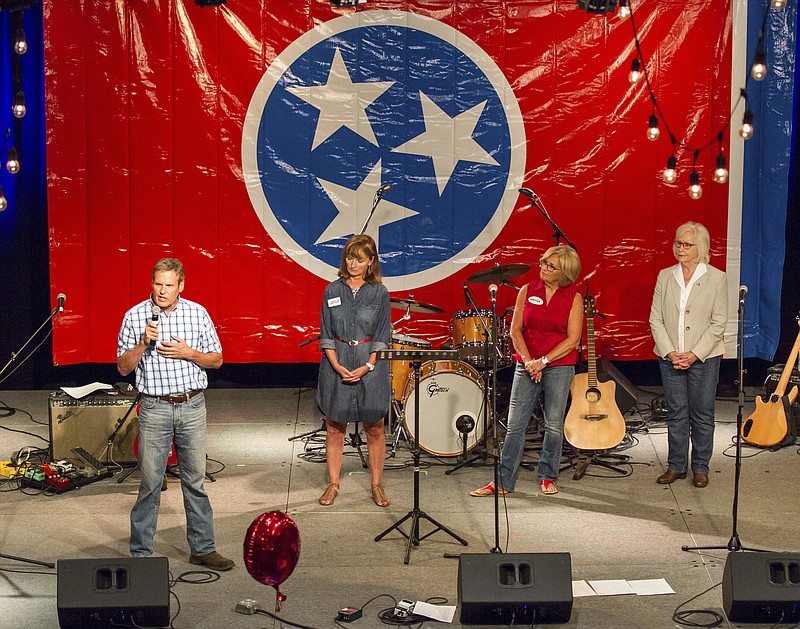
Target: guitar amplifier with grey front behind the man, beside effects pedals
x=88, y=423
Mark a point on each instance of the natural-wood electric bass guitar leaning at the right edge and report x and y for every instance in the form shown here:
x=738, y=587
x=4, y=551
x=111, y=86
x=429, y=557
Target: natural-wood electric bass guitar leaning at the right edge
x=767, y=426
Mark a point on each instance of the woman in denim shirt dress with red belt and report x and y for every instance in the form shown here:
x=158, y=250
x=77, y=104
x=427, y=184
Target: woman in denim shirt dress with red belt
x=353, y=386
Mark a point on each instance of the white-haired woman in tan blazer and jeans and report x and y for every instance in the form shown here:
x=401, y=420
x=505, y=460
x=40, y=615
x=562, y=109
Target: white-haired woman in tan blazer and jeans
x=687, y=320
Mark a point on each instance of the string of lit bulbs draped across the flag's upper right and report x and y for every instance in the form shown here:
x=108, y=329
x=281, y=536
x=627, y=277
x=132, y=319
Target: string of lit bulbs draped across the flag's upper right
x=757, y=72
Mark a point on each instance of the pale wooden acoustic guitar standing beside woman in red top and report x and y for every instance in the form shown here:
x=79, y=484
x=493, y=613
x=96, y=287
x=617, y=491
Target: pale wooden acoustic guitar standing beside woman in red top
x=593, y=421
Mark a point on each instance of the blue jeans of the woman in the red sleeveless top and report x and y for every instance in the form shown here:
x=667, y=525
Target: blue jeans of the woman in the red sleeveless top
x=524, y=394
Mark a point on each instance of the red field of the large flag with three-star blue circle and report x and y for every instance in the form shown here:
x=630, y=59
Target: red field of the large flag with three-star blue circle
x=252, y=139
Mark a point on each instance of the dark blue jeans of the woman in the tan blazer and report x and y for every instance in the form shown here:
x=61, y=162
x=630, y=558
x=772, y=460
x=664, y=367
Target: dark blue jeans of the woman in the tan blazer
x=689, y=395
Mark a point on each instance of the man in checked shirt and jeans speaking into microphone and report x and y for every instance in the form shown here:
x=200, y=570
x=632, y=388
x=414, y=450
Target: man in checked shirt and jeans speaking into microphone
x=170, y=342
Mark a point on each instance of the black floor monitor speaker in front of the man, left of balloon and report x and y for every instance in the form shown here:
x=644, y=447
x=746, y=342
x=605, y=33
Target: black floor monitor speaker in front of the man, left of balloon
x=123, y=591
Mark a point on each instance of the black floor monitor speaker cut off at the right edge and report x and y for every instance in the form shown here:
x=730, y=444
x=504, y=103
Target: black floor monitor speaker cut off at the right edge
x=762, y=587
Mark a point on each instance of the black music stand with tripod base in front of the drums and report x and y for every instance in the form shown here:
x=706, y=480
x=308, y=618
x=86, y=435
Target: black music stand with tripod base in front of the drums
x=416, y=514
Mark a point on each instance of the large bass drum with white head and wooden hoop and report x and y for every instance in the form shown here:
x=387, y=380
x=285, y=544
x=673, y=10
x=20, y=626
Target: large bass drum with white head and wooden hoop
x=448, y=390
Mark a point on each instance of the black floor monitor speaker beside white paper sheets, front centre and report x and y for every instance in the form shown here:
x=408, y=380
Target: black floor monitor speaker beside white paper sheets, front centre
x=524, y=588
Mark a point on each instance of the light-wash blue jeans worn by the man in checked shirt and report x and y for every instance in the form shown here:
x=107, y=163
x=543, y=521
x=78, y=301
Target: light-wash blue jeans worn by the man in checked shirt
x=159, y=424
